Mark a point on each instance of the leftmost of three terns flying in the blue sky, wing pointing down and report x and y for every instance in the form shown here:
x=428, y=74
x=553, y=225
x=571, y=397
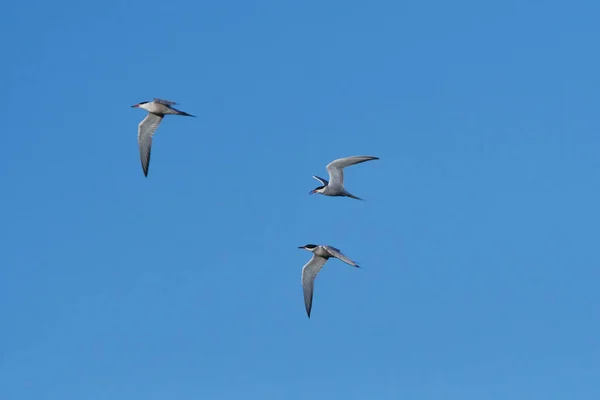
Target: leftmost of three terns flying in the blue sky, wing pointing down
x=157, y=109
